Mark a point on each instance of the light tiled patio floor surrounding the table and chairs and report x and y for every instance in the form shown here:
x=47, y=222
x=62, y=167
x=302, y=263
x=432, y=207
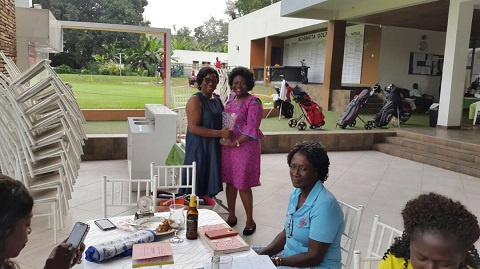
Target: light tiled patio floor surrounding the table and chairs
x=380, y=182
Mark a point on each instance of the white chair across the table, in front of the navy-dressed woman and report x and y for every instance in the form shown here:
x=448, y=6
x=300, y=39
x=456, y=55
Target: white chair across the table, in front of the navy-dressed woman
x=169, y=177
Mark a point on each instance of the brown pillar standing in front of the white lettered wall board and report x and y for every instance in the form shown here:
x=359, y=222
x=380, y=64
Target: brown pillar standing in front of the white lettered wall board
x=333, y=60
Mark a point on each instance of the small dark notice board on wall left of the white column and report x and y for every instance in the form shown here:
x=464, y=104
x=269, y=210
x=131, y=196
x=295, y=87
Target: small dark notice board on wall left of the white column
x=425, y=64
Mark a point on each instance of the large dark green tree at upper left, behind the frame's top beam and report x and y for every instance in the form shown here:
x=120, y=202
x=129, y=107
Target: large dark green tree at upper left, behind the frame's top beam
x=84, y=44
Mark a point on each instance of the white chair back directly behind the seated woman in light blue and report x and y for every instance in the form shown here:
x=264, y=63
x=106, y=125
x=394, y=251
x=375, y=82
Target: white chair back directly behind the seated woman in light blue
x=352, y=216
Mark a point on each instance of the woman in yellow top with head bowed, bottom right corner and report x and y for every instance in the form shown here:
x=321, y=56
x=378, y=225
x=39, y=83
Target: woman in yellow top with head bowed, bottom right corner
x=439, y=233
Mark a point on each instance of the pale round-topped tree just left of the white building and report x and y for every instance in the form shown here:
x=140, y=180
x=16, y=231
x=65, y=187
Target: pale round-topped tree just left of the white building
x=212, y=35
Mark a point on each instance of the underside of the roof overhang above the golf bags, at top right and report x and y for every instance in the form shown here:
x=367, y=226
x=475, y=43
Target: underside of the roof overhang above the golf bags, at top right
x=418, y=14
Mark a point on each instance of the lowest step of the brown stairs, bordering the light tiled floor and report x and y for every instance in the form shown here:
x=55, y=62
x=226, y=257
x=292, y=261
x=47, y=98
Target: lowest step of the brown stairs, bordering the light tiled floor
x=437, y=160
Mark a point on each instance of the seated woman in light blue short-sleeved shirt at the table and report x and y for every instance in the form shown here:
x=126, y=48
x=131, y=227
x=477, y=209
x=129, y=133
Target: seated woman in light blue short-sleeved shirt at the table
x=314, y=221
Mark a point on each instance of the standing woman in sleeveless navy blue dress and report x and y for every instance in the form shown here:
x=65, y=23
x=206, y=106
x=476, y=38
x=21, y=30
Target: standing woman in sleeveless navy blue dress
x=204, y=115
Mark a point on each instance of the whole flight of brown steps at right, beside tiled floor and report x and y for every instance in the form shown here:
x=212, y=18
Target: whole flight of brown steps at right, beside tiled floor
x=456, y=156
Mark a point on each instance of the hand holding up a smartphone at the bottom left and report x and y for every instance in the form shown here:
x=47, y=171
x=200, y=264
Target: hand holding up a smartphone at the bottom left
x=63, y=256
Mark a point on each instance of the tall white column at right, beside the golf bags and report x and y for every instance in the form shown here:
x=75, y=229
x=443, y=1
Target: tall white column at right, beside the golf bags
x=454, y=68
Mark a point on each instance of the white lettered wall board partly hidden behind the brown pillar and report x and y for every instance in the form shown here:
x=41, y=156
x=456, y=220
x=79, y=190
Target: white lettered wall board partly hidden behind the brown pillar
x=312, y=47
